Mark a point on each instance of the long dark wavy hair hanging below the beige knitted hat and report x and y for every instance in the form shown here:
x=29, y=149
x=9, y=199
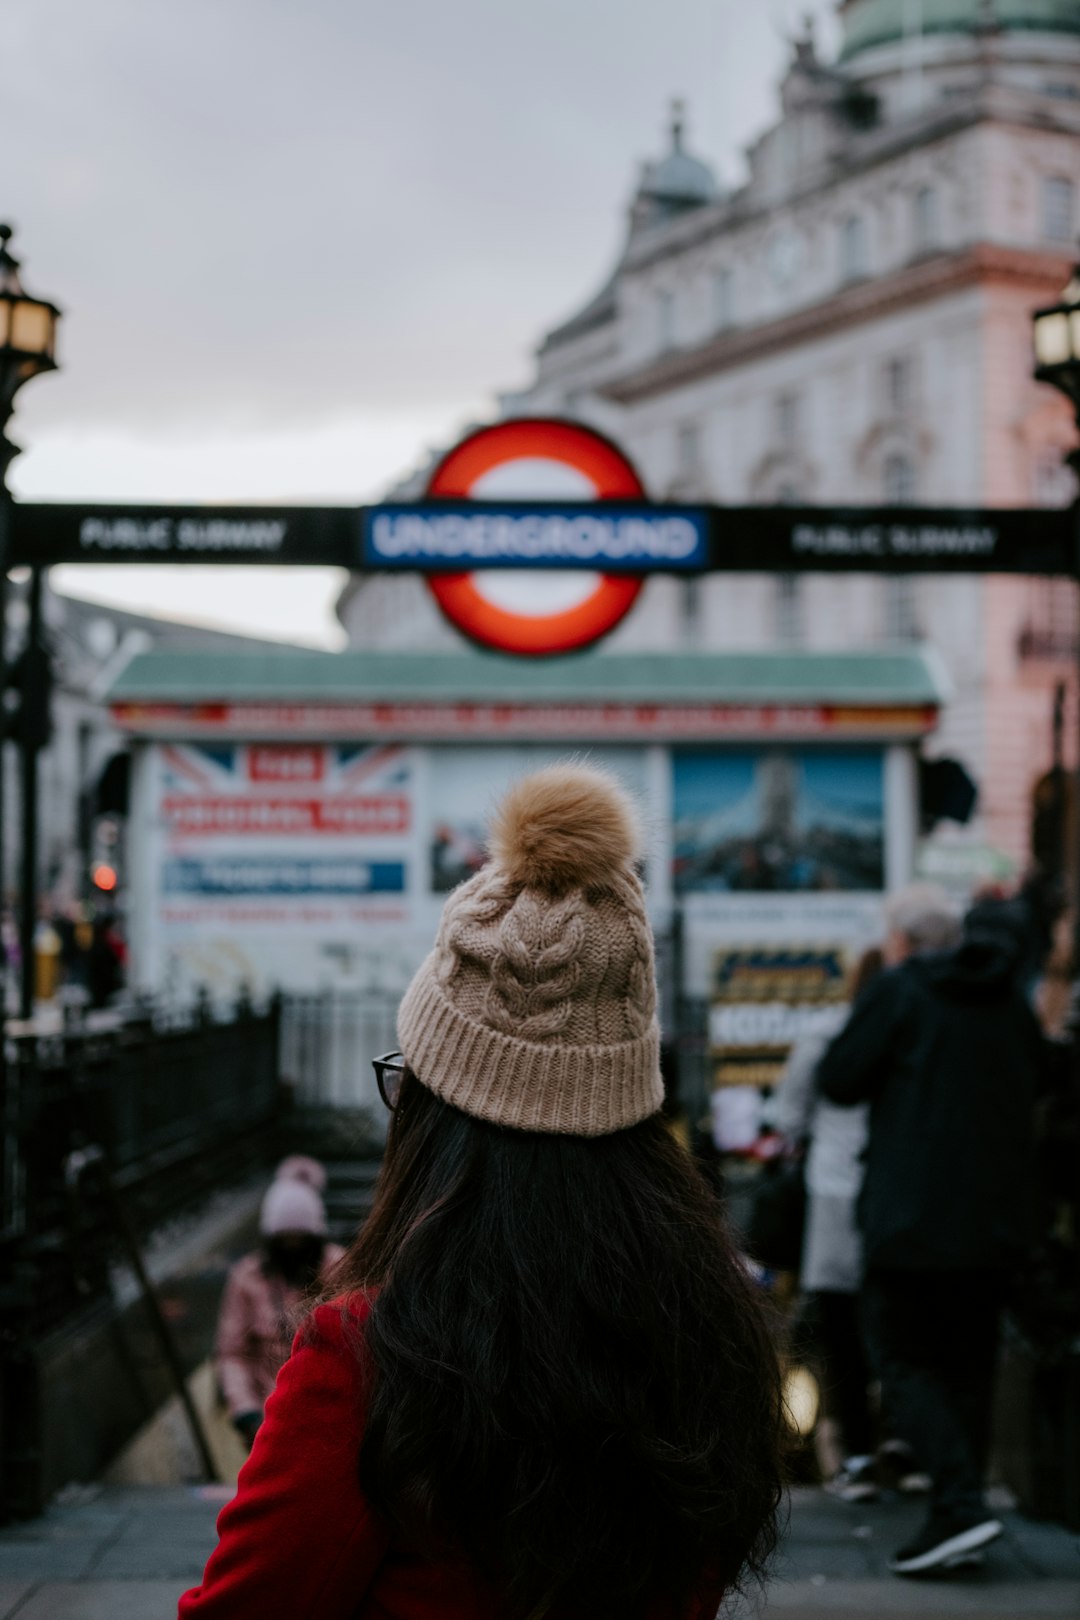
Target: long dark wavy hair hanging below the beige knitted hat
x=571, y=1379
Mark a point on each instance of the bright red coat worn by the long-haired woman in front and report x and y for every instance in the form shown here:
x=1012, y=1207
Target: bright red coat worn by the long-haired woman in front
x=302, y=1543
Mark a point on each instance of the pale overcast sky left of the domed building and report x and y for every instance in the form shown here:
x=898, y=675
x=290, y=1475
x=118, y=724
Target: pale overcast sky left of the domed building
x=300, y=241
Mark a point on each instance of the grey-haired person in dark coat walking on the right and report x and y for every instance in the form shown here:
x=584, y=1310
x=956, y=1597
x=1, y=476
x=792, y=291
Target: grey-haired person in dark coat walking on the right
x=950, y=1057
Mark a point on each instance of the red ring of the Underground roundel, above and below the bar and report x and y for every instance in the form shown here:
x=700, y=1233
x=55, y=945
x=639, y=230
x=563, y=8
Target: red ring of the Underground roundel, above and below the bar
x=551, y=440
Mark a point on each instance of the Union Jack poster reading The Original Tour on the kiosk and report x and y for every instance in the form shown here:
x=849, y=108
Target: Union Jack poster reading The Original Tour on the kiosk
x=270, y=858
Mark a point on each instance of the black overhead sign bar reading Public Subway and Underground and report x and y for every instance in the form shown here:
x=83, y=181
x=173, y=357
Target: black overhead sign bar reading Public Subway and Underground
x=739, y=540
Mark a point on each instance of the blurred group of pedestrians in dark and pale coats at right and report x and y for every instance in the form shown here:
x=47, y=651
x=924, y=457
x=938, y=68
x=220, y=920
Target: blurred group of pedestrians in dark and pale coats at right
x=929, y=1151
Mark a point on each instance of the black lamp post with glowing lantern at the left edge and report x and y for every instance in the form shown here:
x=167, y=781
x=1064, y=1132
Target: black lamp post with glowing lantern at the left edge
x=28, y=346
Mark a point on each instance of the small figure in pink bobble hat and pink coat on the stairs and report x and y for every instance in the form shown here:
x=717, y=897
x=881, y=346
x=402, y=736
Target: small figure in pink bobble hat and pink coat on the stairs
x=266, y=1290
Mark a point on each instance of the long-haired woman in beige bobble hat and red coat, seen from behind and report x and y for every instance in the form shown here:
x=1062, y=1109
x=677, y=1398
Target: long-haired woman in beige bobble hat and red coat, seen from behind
x=542, y=1386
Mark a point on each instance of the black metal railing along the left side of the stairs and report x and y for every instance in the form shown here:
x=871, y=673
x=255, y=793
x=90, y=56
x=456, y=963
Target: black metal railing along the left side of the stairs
x=177, y=1109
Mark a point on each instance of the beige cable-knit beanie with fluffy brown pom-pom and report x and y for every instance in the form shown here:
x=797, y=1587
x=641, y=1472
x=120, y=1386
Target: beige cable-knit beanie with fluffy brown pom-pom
x=537, y=1008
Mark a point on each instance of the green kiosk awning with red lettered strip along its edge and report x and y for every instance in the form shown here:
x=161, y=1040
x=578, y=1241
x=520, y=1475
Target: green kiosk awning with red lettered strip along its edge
x=658, y=697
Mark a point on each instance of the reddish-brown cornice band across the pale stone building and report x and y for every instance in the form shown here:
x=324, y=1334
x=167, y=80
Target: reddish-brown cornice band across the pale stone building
x=857, y=304
